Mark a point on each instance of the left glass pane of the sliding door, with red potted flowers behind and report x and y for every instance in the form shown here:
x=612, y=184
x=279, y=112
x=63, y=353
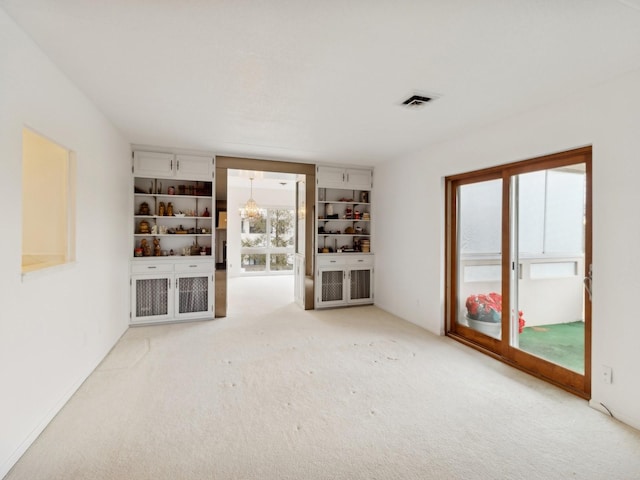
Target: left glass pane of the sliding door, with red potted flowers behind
x=479, y=257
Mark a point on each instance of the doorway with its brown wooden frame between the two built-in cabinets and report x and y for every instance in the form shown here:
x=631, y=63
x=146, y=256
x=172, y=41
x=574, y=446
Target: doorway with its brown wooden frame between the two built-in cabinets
x=261, y=231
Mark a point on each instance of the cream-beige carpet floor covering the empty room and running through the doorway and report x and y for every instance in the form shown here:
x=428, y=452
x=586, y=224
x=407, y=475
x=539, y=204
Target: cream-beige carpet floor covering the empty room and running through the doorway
x=274, y=392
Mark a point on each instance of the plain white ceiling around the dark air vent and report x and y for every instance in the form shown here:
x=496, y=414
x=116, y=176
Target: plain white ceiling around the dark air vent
x=322, y=80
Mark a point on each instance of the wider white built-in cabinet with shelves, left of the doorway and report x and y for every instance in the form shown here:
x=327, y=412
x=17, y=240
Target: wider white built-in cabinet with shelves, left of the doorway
x=173, y=239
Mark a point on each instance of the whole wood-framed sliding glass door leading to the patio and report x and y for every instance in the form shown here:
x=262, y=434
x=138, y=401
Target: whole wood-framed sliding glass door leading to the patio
x=519, y=252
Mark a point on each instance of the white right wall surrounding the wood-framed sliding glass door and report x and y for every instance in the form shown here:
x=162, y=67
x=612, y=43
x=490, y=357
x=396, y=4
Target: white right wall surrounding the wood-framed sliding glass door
x=409, y=205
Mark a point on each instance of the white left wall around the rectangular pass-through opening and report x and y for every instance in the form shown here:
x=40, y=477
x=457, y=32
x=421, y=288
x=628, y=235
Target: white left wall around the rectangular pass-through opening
x=56, y=325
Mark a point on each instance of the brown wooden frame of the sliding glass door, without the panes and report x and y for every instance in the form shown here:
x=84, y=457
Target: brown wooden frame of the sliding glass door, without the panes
x=500, y=349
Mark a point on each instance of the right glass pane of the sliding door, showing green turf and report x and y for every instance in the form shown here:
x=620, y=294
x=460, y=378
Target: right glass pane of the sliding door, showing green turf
x=548, y=251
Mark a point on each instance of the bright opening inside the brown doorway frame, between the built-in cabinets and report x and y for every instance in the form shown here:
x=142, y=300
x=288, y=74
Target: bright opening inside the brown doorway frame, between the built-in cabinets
x=260, y=240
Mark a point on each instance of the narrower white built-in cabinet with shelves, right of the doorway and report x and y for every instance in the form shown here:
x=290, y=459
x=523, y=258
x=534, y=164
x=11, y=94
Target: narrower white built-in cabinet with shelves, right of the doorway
x=344, y=258
